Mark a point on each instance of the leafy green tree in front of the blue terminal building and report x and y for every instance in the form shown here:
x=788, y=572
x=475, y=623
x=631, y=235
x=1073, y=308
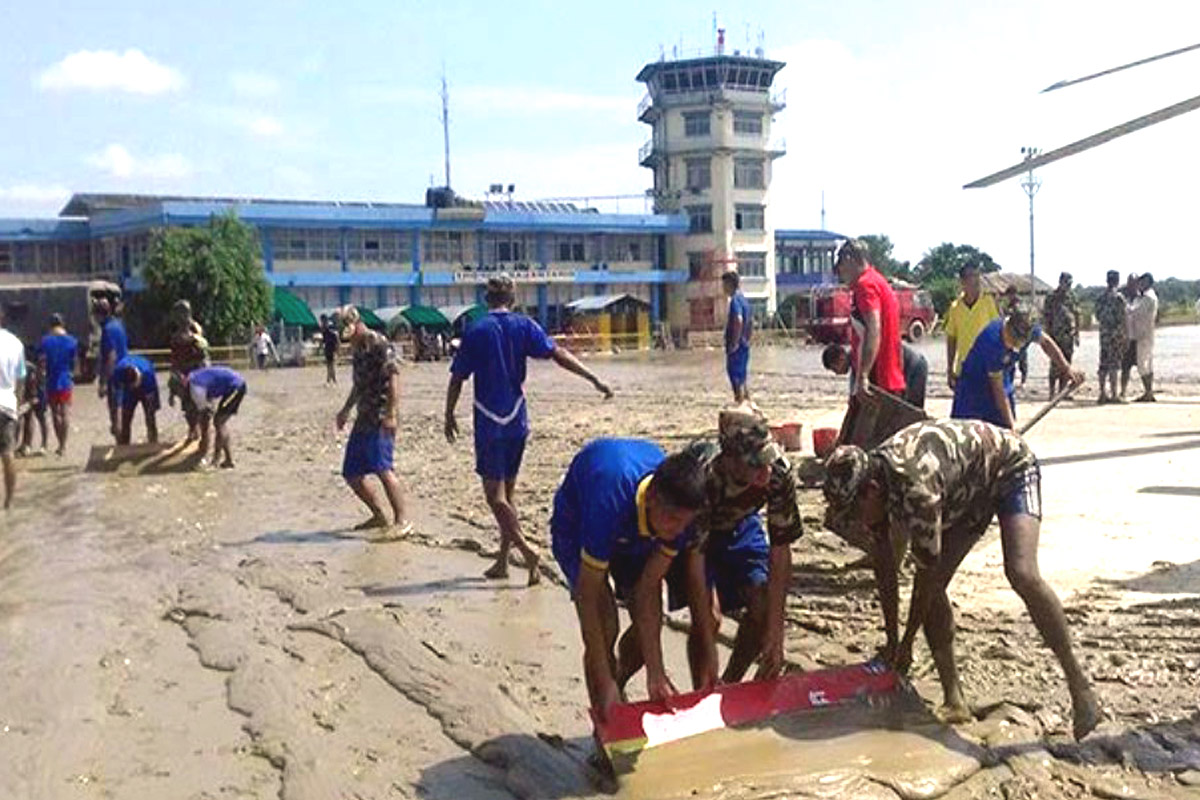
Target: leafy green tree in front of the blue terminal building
x=217, y=268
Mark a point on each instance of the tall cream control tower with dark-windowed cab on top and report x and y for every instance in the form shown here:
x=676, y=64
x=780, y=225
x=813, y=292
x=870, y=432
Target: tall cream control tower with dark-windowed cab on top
x=712, y=154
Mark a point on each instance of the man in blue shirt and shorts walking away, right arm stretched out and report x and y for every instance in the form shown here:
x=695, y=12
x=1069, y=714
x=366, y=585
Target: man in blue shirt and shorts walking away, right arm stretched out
x=495, y=351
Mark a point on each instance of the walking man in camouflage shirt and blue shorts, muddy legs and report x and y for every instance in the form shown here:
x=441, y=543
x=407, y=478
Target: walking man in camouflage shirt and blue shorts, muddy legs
x=375, y=396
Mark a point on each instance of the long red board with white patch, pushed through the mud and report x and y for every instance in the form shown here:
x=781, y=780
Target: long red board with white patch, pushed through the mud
x=633, y=727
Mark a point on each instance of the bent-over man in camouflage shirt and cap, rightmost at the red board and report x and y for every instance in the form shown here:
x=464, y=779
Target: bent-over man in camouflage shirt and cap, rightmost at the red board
x=940, y=484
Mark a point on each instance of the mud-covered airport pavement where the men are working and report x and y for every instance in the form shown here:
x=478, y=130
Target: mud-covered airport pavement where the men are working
x=225, y=635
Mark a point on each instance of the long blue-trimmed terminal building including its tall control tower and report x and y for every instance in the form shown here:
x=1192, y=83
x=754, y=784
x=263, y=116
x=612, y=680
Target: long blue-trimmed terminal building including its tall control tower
x=711, y=153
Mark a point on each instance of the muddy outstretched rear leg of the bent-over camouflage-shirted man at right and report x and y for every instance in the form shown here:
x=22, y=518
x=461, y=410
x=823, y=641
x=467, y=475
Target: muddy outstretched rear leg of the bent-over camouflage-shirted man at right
x=1019, y=539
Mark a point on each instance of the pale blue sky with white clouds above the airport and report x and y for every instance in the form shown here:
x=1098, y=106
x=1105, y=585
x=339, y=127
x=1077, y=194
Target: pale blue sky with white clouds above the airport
x=892, y=107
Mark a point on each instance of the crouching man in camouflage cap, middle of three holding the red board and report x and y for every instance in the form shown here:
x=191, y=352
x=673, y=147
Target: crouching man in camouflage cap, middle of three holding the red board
x=730, y=556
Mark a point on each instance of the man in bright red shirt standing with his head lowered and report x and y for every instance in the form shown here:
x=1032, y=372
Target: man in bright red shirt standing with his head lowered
x=875, y=323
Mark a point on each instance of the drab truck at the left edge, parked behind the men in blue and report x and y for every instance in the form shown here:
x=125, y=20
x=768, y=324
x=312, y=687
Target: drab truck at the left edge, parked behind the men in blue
x=28, y=309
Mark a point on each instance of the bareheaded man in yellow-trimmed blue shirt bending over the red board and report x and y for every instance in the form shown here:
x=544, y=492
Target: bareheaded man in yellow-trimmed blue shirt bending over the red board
x=623, y=510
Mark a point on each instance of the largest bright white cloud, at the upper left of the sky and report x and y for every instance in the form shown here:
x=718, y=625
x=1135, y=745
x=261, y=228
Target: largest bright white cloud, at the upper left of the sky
x=133, y=73
